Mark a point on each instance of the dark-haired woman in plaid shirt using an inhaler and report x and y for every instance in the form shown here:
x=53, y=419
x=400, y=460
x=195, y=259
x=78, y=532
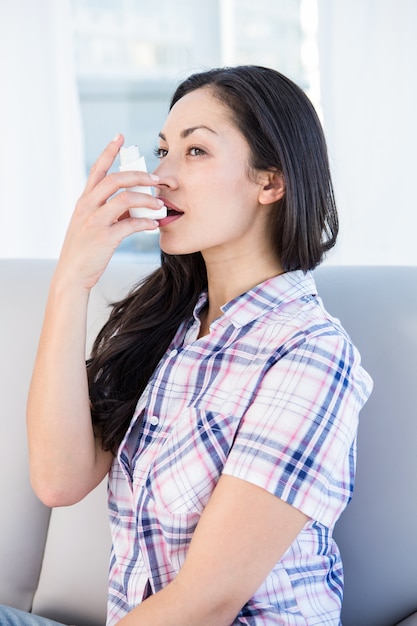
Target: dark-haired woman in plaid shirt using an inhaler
x=221, y=397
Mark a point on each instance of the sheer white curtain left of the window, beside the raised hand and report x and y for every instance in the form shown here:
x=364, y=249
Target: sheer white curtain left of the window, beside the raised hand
x=41, y=148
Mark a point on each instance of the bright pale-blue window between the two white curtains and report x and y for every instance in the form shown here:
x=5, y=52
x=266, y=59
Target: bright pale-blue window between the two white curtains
x=130, y=54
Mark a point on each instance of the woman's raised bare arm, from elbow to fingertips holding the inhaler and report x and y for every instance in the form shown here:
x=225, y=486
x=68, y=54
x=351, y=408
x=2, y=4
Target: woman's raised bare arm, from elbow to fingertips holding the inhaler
x=66, y=460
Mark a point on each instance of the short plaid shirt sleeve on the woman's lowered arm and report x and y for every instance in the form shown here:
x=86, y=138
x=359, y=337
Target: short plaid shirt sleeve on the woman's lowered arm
x=297, y=439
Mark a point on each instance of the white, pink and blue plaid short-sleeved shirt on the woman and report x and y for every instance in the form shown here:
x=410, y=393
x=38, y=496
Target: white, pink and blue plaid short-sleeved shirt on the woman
x=271, y=396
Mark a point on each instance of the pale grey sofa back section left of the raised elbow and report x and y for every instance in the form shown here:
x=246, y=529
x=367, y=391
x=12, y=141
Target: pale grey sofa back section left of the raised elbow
x=23, y=519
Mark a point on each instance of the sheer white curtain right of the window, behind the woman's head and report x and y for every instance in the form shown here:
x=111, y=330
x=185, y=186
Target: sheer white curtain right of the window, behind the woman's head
x=368, y=54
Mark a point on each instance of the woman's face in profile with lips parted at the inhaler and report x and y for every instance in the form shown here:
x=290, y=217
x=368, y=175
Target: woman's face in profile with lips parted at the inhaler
x=206, y=183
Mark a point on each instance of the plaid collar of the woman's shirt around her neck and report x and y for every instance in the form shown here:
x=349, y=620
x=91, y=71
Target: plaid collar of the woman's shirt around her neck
x=265, y=297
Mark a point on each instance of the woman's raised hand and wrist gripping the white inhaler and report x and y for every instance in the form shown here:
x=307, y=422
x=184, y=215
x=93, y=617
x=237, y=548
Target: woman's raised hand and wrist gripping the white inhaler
x=101, y=218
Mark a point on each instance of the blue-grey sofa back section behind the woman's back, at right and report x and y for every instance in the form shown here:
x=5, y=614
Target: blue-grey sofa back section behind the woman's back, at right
x=377, y=534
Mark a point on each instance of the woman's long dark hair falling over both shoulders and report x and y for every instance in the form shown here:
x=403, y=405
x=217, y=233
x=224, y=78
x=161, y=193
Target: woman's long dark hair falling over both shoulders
x=285, y=135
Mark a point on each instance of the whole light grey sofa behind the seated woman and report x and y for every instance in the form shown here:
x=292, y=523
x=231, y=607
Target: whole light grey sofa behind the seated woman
x=55, y=562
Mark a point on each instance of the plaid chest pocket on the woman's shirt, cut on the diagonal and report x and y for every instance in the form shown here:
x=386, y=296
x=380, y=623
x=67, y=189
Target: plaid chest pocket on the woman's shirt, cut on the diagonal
x=186, y=469
